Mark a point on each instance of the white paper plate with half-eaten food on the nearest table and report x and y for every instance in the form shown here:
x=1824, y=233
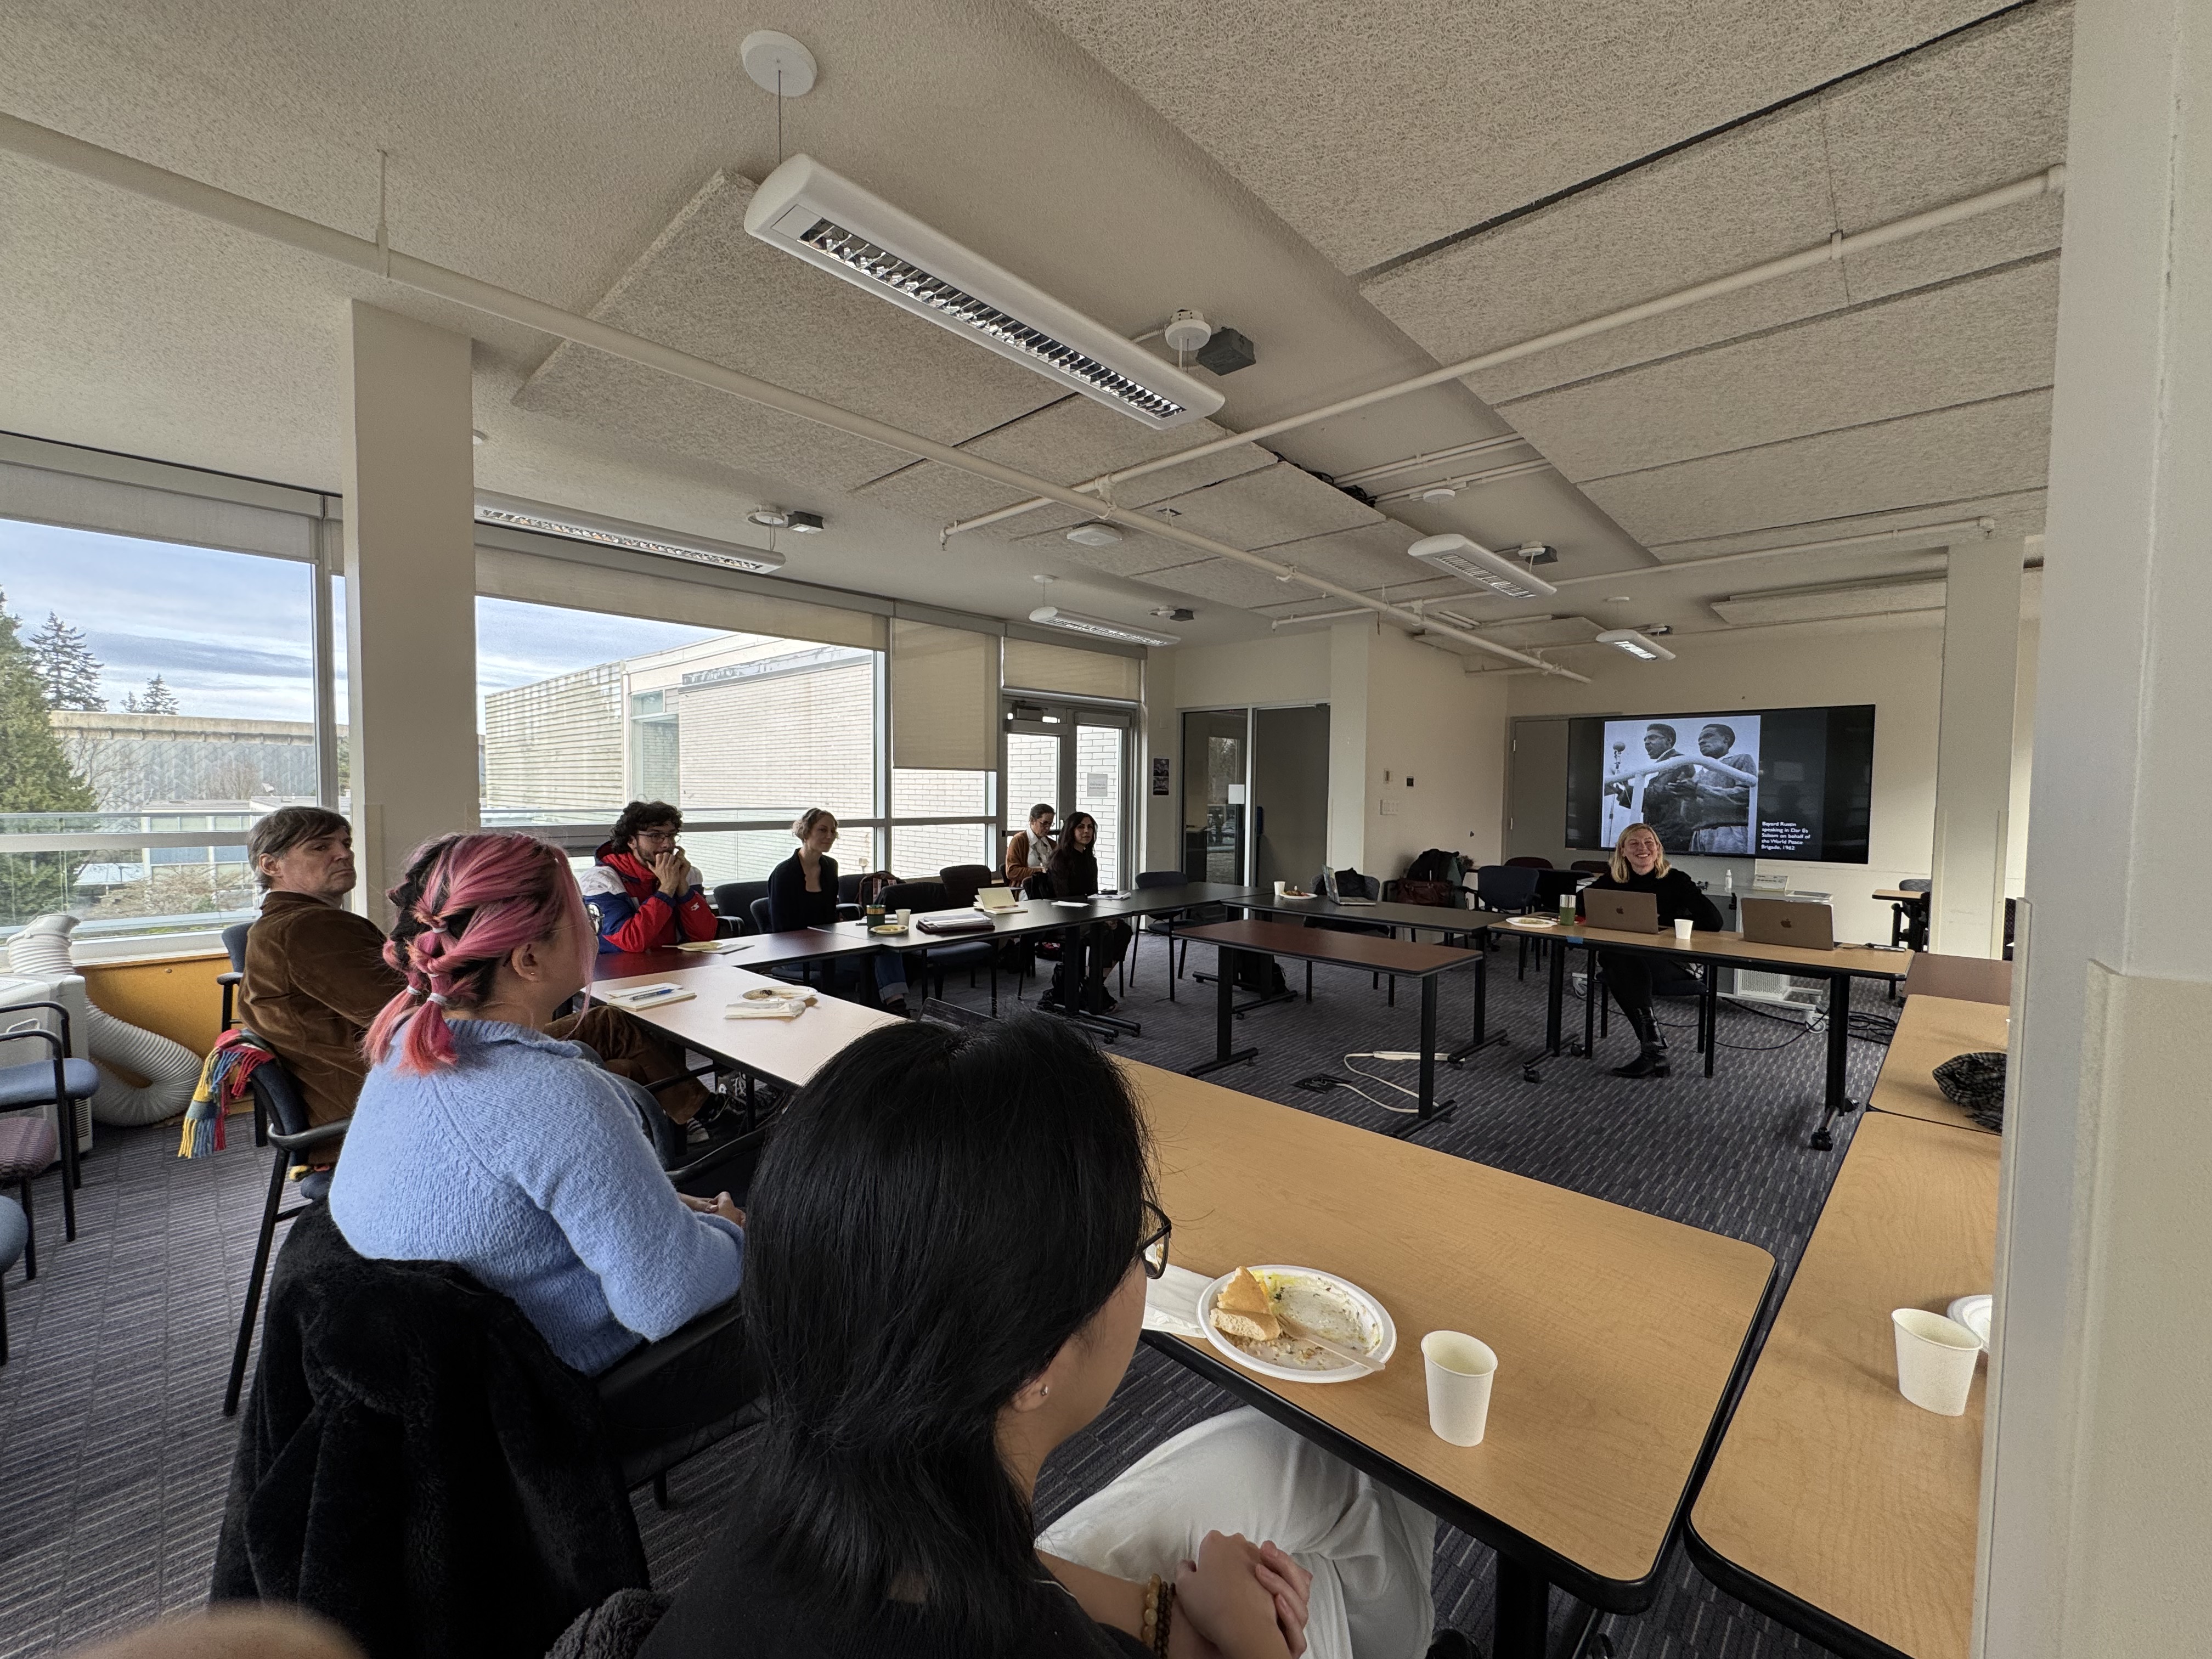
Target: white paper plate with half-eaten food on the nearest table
x=1297, y=1324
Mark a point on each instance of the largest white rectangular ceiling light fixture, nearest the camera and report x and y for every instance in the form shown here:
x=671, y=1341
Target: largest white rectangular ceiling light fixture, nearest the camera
x=831, y=222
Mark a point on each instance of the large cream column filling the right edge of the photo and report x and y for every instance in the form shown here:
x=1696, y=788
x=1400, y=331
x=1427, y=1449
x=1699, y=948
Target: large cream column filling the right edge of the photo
x=2100, y=1426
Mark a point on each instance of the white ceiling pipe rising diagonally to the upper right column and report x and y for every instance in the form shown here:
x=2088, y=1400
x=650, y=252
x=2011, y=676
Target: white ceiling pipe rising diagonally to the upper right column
x=1835, y=249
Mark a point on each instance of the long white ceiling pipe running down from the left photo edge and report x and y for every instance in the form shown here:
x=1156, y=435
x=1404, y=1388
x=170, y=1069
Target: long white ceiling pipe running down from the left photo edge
x=382, y=260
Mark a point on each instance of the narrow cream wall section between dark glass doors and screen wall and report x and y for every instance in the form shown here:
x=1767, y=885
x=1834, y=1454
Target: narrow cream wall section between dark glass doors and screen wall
x=1430, y=722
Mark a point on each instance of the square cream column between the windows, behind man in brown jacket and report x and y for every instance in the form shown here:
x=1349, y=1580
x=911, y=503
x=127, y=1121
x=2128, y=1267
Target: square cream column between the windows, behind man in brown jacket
x=410, y=592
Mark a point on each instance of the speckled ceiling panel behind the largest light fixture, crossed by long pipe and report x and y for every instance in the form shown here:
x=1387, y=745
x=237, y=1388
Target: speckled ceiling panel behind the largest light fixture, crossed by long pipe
x=709, y=289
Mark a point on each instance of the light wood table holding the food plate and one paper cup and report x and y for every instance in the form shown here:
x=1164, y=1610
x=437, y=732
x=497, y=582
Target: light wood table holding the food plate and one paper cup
x=1618, y=1335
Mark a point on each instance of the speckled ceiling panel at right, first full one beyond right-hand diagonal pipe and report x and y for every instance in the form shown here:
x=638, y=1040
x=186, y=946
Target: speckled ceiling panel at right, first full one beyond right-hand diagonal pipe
x=1957, y=344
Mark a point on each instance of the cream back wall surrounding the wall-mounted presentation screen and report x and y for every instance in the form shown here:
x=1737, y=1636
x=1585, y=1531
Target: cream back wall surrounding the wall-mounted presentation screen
x=1890, y=662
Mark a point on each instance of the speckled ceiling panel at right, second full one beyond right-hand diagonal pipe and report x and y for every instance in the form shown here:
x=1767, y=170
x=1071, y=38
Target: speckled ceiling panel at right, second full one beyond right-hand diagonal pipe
x=1919, y=461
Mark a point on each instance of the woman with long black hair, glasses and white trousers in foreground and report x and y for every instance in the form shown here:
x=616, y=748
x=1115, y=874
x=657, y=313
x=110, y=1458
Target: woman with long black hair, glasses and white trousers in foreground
x=946, y=1280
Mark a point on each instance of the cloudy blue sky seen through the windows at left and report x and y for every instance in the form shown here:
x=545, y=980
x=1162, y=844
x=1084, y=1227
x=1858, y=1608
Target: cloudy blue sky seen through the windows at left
x=231, y=632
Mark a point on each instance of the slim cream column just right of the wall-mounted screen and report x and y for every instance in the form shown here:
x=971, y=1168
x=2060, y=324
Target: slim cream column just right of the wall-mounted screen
x=1974, y=749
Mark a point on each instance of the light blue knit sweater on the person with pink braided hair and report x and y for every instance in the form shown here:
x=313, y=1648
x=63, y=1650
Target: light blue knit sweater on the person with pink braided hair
x=528, y=1167
